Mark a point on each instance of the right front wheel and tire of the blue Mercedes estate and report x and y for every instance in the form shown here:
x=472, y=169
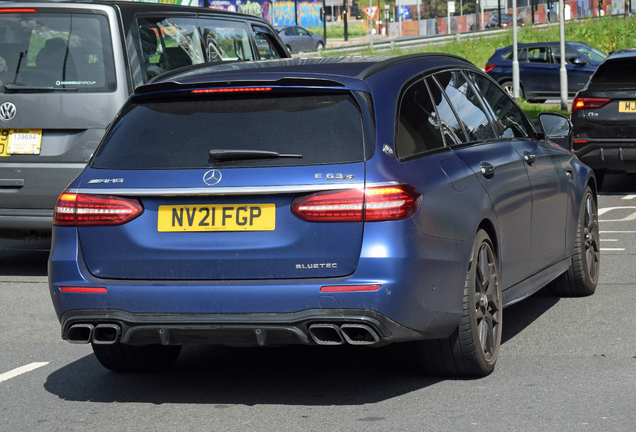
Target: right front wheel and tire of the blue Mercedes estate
x=582, y=276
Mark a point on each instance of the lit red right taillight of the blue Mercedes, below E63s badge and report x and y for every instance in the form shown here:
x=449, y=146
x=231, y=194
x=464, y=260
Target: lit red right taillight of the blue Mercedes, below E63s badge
x=372, y=204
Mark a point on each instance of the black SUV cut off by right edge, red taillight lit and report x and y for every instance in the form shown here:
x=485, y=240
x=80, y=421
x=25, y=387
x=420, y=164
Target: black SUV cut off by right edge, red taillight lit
x=604, y=116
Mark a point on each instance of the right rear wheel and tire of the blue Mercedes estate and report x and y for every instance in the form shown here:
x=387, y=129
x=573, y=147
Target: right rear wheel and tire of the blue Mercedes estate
x=473, y=348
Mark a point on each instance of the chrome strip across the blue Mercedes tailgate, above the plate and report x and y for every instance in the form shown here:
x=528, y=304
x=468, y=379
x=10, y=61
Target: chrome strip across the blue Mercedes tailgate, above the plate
x=236, y=190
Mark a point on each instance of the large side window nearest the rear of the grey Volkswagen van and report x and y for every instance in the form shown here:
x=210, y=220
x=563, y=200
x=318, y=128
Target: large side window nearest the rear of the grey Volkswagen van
x=169, y=43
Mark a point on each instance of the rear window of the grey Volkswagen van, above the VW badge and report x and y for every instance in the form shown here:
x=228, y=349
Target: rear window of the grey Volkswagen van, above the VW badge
x=58, y=50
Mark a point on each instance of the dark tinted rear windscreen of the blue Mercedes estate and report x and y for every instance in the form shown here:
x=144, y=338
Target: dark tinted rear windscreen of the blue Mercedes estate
x=180, y=133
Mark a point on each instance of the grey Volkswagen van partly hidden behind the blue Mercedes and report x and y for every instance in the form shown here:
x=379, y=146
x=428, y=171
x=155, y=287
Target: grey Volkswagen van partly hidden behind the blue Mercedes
x=67, y=67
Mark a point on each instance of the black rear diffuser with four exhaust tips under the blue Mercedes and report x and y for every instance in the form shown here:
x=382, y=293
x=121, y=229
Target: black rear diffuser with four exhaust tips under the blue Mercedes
x=308, y=327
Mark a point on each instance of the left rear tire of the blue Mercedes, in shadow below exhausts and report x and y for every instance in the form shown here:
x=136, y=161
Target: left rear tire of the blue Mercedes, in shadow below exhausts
x=129, y=358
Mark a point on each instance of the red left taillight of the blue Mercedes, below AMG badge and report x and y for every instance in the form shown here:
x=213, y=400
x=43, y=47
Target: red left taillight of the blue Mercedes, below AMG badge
x=83, y=209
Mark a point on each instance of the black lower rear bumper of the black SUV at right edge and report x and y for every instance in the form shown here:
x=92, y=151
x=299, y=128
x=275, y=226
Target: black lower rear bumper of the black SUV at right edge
x=611, y=154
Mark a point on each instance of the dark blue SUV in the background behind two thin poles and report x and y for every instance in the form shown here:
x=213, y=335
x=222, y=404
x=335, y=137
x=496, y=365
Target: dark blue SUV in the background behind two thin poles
x=539, y=66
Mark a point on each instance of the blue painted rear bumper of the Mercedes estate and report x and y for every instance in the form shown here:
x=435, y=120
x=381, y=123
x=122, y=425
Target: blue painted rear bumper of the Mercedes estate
x=420, y=297
